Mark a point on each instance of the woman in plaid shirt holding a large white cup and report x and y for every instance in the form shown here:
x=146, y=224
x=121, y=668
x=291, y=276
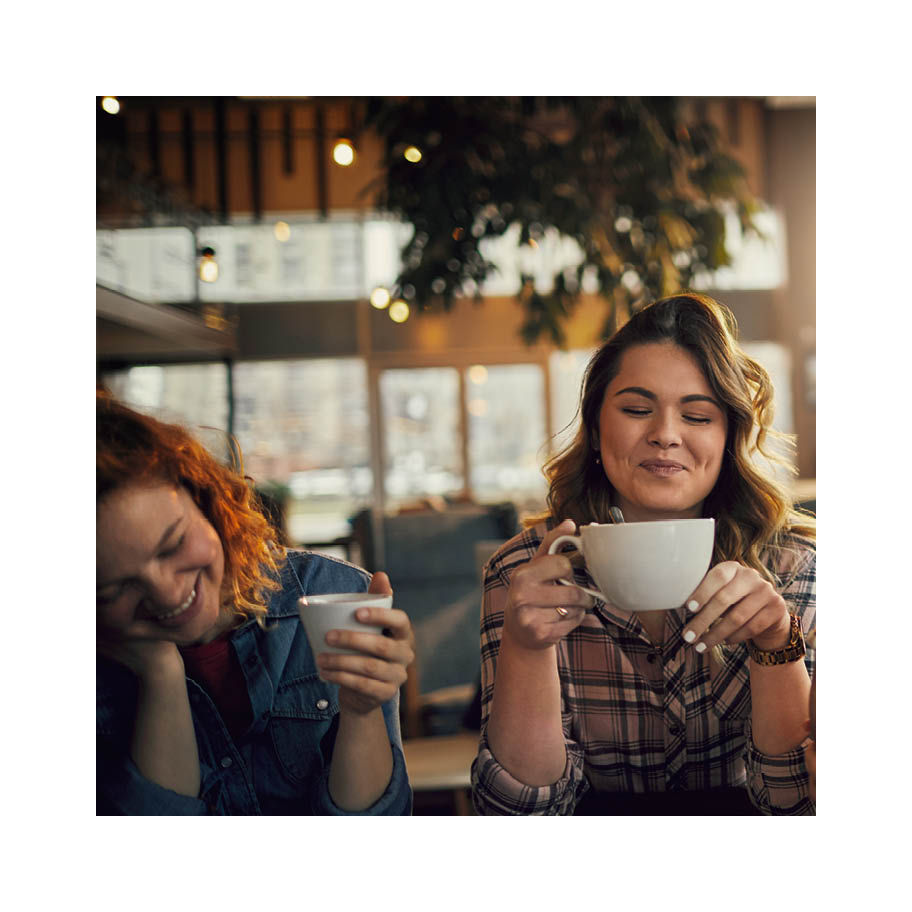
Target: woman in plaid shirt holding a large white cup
x=587, y=708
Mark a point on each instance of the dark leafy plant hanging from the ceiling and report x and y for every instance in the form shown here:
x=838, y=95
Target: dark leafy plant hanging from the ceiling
x=640, y=186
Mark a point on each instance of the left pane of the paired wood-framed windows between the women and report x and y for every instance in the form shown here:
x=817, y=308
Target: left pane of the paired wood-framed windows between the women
x=421, y=429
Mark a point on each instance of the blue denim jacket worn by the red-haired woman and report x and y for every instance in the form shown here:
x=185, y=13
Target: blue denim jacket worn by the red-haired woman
x=281, y=764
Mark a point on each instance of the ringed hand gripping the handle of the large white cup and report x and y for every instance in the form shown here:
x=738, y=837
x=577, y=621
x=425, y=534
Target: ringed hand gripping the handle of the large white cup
x=531, y=620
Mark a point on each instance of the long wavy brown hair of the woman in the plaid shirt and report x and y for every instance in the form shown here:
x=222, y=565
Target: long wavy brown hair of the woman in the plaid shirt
x=753, y=511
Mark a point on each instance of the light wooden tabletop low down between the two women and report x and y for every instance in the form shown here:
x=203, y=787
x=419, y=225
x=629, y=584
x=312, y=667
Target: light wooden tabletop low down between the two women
x=442, y=763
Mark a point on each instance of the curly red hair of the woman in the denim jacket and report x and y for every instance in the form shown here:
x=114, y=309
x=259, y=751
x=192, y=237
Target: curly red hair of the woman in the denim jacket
x=132, y=448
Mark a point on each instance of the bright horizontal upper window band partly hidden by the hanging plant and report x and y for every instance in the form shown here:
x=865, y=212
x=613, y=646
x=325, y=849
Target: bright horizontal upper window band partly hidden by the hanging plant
x=344, y=257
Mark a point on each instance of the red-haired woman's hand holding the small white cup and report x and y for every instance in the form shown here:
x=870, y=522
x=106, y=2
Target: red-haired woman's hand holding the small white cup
x=374, y=675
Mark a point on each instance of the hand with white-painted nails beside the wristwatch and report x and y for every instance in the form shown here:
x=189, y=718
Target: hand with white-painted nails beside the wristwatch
x=738, y=604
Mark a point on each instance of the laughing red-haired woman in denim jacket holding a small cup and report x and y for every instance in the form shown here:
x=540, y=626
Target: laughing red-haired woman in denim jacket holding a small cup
x=210, y=699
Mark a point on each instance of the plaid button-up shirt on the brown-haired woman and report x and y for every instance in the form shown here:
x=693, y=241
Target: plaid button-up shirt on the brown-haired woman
x=639, y=717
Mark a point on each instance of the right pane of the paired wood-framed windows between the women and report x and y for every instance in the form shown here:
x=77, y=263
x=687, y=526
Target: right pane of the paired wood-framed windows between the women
x=506, y=433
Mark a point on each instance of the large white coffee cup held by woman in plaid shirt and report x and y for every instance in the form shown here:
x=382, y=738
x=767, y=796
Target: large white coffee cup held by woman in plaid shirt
x=644, y=566
